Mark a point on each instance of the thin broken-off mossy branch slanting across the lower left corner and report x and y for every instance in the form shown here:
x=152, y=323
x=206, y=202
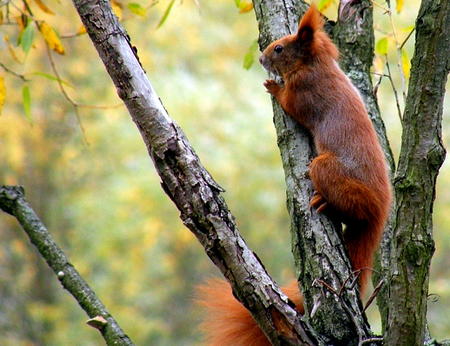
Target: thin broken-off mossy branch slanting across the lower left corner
x=12, y=201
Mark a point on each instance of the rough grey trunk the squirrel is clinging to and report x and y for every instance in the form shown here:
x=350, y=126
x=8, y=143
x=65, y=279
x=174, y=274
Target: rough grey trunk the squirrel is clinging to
x=317, y=243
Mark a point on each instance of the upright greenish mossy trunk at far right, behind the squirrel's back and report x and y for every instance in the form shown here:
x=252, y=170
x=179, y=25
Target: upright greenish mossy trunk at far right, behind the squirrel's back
x=422, y=154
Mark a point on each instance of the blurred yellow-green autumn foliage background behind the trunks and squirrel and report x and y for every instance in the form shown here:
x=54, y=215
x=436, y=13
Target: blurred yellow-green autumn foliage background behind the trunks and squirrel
x=101, y=198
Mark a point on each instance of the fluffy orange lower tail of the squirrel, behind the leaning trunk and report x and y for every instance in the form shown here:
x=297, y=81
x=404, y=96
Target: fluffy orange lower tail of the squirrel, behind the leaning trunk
x=227, y=321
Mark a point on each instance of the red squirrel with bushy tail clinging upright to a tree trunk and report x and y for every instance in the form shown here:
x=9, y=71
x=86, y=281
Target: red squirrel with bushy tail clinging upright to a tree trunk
x=349, y=174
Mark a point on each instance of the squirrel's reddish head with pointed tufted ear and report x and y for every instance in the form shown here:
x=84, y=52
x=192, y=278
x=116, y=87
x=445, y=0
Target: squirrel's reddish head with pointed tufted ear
x=309, y=44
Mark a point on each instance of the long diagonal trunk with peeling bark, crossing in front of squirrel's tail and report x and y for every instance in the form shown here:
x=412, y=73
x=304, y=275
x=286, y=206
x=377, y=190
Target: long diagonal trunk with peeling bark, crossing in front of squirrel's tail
x=189, y=185
